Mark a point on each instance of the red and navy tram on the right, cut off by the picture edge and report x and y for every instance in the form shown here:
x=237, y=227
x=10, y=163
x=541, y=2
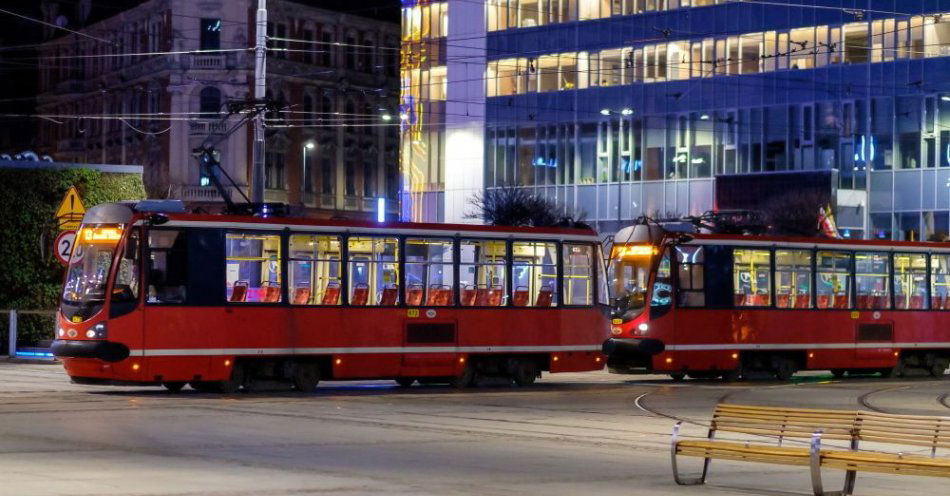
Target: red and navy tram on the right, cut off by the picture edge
x=708, y=305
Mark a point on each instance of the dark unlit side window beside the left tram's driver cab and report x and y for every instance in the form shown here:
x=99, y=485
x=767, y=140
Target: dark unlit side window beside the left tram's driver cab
x=168, y=266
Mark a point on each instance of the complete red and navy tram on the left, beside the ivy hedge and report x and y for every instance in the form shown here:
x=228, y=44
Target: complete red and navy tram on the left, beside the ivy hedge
x=154, y=295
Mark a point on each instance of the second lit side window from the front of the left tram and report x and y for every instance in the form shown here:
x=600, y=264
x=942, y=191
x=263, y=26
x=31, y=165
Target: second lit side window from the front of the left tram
x=314, y=270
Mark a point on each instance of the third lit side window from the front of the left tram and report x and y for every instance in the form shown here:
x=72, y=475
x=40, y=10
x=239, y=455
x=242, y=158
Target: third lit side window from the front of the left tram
x=373, y=271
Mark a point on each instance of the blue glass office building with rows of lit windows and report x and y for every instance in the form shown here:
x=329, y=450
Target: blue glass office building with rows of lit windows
x=620, y=108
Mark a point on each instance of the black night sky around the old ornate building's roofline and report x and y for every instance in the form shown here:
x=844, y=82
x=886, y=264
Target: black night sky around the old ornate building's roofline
x=18, y=70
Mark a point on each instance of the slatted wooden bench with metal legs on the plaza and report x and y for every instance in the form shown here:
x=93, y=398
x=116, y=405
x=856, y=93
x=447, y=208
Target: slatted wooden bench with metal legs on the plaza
x=850, y=427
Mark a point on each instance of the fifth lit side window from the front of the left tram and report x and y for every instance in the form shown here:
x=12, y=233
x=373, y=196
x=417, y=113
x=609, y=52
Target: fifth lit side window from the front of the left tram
x=482, y=273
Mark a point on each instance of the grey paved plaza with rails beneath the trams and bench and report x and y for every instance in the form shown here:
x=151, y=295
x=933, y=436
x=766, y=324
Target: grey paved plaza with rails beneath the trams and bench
x=593, y=433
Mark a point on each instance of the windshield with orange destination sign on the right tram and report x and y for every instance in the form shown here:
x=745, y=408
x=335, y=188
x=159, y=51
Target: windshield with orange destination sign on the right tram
x=630, y=276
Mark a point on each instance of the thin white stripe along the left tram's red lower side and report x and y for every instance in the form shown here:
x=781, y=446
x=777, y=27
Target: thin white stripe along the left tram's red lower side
x=360, y=350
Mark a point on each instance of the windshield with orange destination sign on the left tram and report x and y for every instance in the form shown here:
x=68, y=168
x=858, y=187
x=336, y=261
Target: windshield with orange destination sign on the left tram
x=88, y=273
